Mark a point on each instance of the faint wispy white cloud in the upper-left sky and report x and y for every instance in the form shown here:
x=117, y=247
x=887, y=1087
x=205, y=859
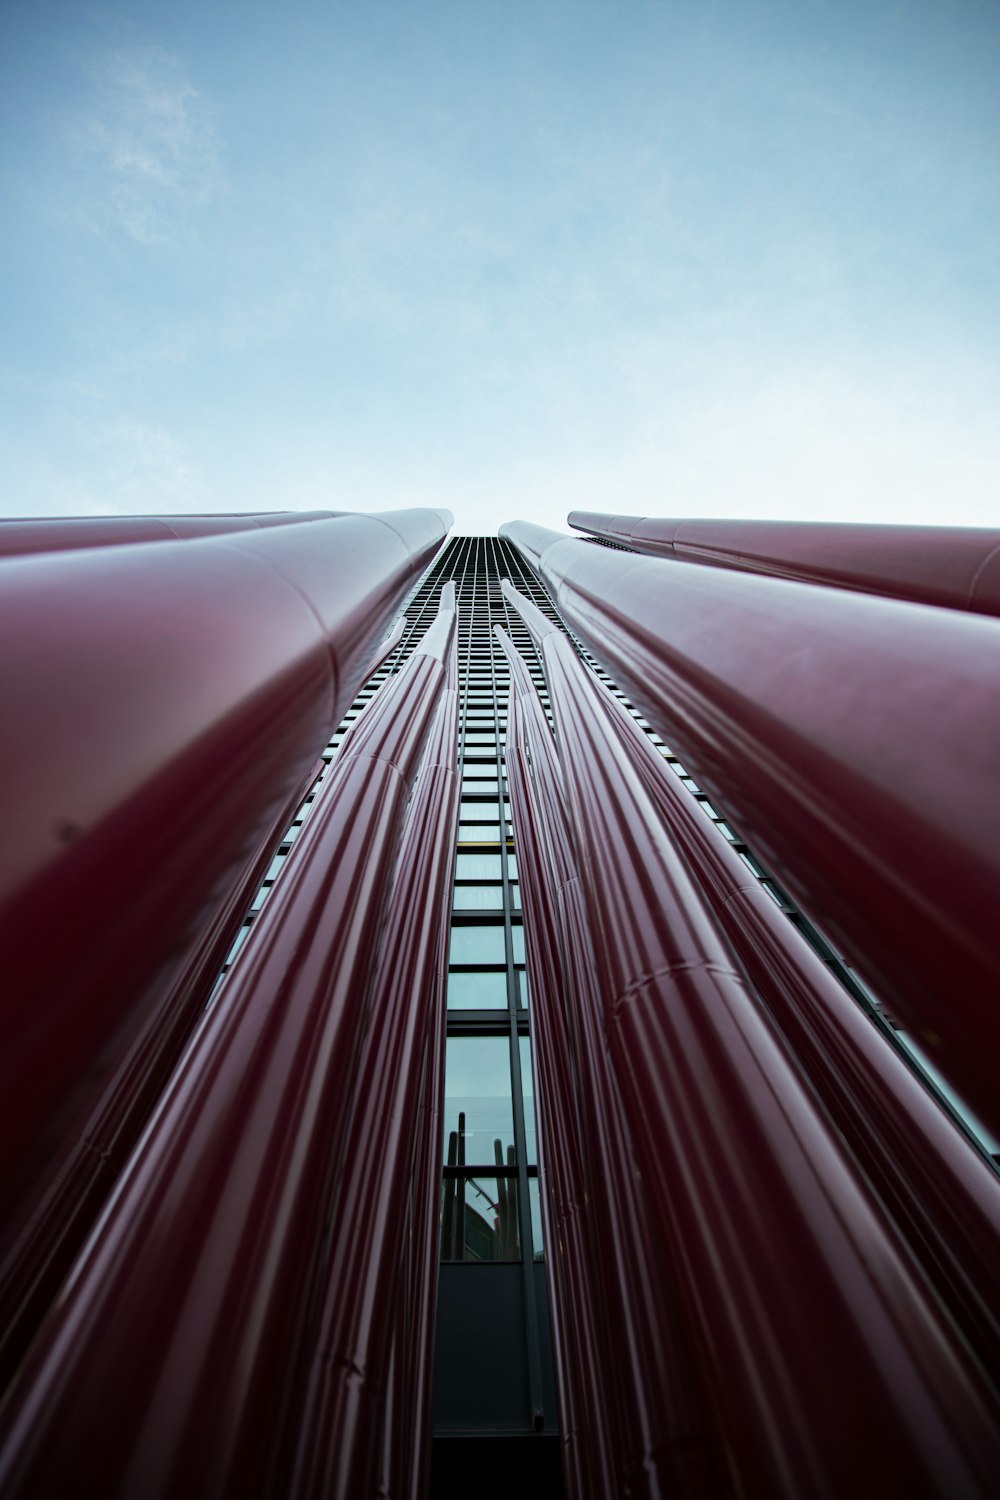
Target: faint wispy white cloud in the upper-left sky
x=155, y=143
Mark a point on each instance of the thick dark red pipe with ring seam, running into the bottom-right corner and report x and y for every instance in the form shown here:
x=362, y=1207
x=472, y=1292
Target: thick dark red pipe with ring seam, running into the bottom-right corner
x=776, y=1240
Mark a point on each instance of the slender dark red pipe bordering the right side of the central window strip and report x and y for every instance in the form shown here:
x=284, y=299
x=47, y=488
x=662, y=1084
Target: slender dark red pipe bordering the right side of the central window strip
x=641, y=1411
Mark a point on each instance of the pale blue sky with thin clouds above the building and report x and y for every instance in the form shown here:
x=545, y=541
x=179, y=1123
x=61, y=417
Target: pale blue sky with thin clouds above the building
x=659, y=257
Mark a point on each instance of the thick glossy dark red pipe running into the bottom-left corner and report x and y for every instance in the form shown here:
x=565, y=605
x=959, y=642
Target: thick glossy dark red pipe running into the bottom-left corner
x=175, y=1360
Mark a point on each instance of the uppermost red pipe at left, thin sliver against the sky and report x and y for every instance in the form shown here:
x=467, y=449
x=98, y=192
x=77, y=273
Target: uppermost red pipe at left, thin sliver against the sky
x=23, y=538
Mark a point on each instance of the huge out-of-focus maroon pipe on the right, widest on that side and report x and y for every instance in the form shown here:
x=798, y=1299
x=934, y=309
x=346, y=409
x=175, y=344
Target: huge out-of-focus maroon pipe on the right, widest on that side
x=857, y=745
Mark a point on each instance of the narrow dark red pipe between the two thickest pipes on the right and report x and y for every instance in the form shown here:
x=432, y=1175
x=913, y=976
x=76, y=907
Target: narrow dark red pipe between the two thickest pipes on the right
x=941, y=1192
